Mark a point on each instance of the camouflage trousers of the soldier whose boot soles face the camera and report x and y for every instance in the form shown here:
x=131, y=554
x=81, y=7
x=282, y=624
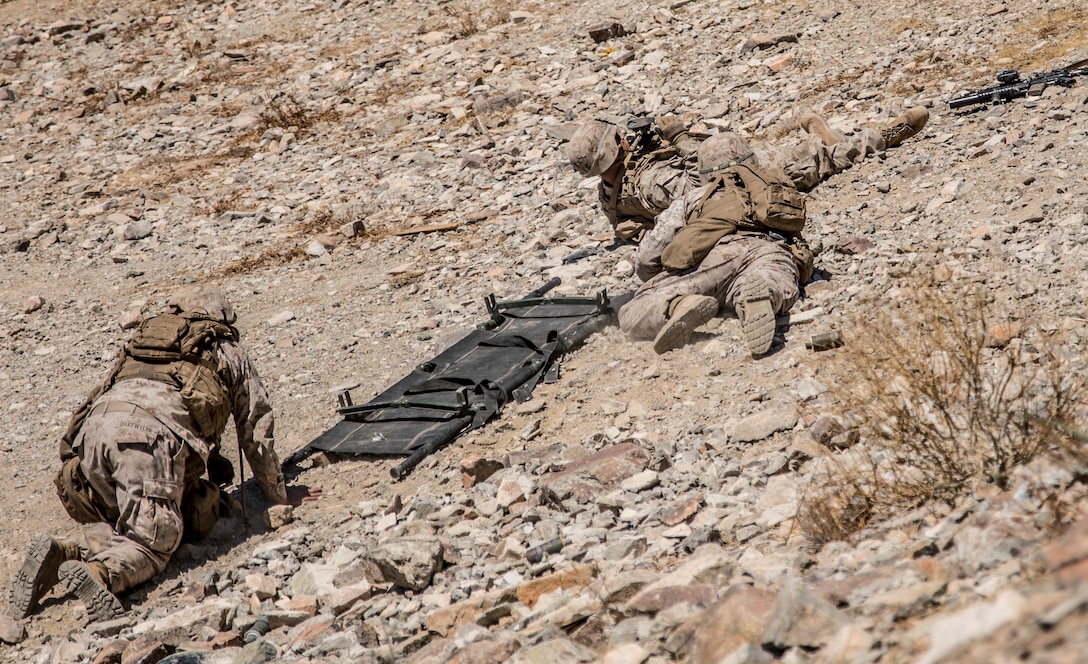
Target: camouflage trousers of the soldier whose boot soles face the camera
x=722, y=276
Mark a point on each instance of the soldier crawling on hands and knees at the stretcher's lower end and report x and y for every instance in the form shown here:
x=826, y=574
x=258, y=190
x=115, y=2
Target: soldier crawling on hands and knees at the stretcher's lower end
x=135, y=449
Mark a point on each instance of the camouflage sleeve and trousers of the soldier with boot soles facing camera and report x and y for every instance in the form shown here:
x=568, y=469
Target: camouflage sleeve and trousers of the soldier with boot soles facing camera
x=722, y=275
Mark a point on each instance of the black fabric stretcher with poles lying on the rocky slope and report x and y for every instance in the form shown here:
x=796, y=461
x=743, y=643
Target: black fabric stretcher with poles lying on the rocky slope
x=468, y=384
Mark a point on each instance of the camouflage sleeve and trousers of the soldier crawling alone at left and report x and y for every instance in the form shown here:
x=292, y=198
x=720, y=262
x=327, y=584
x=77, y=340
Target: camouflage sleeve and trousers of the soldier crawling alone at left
x=139, y=447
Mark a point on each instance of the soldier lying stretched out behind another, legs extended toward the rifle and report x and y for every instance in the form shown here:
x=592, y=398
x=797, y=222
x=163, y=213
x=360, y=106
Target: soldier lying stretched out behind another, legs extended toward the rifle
x=639, y=182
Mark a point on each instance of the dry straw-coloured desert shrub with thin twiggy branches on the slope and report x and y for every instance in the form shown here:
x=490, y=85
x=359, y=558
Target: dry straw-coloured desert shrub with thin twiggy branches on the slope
x=948, y=394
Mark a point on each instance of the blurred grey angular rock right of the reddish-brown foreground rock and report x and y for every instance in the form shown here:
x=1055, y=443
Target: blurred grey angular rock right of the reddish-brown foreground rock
x=801, y=619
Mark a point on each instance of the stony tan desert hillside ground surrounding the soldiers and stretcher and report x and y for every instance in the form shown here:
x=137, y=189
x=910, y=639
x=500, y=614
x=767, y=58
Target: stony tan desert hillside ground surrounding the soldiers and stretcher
x=360, y=176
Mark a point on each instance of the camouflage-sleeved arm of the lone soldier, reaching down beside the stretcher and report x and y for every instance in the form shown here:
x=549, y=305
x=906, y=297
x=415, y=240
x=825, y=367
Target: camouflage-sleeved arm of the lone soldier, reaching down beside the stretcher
x=254, y=423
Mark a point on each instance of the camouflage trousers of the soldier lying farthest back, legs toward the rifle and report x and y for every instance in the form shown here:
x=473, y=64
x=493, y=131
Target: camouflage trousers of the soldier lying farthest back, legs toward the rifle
x=812, y=162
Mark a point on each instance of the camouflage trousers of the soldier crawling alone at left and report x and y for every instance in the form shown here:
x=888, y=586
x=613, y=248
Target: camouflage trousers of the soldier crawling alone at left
x=137, y=464
